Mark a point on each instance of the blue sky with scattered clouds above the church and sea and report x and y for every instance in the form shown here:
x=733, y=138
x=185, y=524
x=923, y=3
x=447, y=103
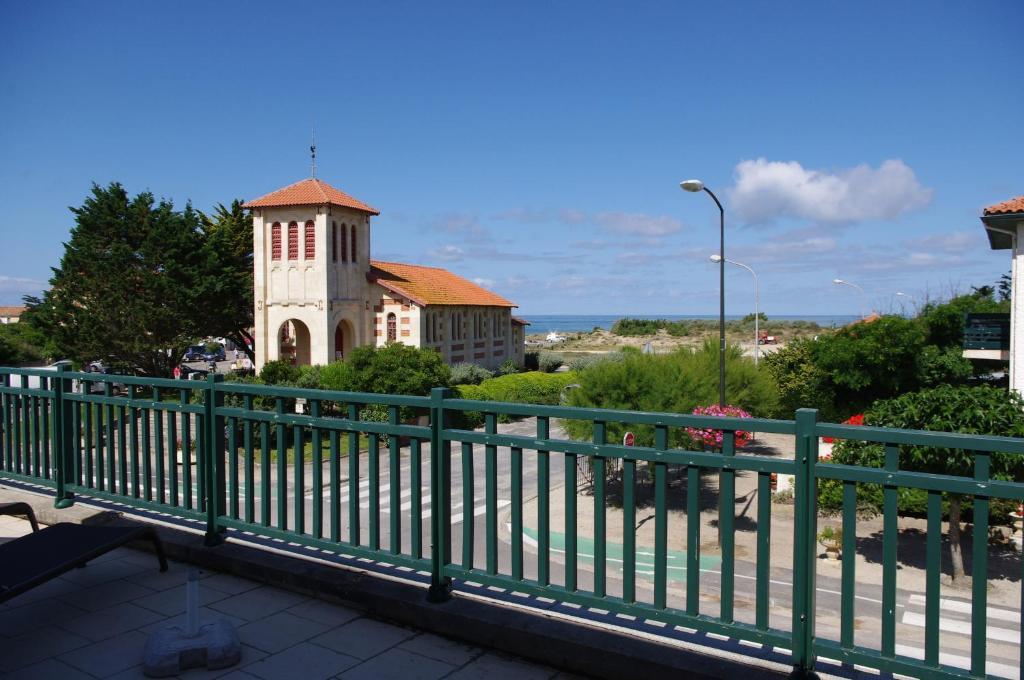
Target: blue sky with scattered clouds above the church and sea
x=537, y=148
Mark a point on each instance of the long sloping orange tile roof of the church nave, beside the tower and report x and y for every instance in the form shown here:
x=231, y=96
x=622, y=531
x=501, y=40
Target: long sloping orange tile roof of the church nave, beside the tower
x=433, y=286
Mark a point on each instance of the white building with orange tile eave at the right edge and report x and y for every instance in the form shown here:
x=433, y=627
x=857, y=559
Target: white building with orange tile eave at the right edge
x=1005, y=226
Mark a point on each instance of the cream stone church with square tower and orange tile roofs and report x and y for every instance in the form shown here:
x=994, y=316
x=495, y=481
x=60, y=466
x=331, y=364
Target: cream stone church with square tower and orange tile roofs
x=318, y=293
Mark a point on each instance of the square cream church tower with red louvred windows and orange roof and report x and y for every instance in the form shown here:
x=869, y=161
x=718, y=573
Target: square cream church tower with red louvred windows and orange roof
x=312, y=267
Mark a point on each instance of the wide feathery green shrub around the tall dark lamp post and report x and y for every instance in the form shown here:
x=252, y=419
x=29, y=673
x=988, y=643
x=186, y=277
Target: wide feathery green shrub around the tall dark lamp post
x=669, y=384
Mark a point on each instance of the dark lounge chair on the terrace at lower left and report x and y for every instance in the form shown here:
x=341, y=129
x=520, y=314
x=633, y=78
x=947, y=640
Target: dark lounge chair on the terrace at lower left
x=35, y=559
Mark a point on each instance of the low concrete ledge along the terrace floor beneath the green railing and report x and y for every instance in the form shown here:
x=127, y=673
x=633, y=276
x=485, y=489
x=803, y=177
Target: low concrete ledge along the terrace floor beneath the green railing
x=540, y=637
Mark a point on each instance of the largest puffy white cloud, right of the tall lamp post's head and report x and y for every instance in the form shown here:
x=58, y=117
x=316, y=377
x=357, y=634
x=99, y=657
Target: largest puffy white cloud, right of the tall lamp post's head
x=767, y=190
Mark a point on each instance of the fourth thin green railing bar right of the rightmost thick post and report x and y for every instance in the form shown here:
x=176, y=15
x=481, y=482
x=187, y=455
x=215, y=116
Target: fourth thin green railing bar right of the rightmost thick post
x=979, y=568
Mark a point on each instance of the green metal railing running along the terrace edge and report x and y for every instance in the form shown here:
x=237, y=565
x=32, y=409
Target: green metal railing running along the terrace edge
x=326, y=477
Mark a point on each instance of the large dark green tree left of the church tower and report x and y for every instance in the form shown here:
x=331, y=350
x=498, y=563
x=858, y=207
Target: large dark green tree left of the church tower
x=141, y=280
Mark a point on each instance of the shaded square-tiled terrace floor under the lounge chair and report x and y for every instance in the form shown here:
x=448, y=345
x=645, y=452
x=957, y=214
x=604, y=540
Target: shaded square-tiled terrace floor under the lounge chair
x=94, y=623
